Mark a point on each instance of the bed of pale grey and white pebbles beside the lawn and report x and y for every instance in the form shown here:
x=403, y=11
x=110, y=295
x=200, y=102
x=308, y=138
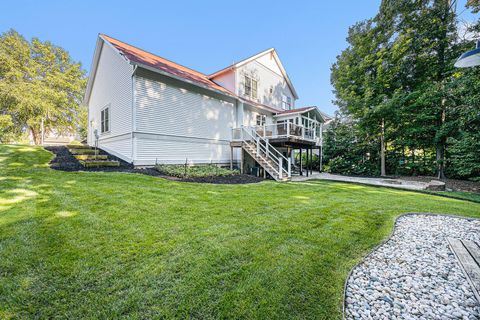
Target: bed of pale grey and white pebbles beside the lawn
x=414, y=275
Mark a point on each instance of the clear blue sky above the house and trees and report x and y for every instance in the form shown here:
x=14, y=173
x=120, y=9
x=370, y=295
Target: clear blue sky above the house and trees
x=205, y=35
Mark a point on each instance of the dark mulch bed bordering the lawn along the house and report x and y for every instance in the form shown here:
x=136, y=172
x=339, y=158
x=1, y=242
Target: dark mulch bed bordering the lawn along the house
x=65, y=161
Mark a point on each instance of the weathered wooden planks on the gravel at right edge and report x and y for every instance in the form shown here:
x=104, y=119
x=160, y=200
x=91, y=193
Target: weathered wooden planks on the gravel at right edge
x=468, y=254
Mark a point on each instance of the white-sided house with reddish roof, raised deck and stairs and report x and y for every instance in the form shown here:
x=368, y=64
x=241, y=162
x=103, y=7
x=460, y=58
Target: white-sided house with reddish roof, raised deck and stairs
x=147, y=110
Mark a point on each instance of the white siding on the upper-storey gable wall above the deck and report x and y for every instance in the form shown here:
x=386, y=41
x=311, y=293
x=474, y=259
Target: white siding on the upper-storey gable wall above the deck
x=267, y=78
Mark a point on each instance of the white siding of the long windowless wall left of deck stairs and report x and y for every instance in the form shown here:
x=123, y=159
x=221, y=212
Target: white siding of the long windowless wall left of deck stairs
x=174, y=124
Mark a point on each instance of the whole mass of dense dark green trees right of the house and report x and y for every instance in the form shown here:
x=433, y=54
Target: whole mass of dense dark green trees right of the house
x=397, y=85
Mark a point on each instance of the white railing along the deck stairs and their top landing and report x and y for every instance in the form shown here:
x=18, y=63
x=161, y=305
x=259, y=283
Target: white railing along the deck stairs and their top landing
x=264, y=150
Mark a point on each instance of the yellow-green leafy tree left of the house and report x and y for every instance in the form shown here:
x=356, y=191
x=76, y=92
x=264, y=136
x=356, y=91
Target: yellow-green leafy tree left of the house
x=40, y=87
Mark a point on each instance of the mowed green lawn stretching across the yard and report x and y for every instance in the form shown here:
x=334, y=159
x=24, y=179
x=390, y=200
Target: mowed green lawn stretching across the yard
x=110, y=245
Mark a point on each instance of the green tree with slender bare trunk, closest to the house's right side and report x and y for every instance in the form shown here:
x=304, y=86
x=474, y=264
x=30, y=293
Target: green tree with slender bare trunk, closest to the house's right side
x=365, y=78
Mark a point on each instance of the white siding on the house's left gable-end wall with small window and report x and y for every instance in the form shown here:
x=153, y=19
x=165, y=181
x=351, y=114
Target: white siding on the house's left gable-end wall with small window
x=112, y=87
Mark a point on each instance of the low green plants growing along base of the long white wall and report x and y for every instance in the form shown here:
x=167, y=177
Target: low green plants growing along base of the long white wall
x=183, y=171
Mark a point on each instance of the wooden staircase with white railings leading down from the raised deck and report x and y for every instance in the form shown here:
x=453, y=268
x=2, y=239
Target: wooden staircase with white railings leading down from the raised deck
x=271, y=160
